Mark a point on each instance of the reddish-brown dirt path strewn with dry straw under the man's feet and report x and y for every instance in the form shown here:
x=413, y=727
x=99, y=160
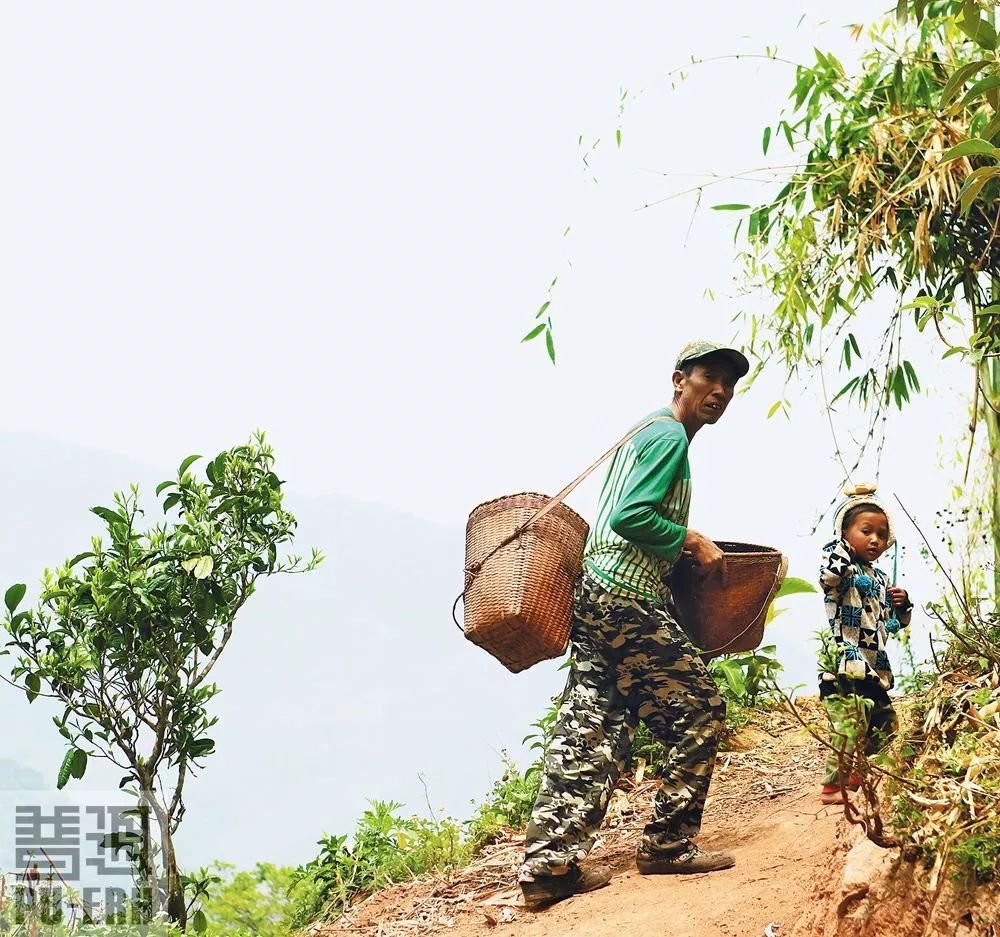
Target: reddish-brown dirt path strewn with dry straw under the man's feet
x=762, y=807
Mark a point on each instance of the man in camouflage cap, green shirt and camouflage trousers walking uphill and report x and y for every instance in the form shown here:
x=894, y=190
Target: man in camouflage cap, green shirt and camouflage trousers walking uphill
x=631, y=660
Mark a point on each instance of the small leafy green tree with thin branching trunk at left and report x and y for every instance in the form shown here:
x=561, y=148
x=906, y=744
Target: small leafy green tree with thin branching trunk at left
x=126, y=635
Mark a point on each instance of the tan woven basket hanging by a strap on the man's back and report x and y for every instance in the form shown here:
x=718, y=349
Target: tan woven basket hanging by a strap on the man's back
x=519, y=606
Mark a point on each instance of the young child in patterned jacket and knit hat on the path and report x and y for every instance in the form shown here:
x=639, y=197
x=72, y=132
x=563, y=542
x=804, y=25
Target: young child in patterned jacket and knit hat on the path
x=859, y=605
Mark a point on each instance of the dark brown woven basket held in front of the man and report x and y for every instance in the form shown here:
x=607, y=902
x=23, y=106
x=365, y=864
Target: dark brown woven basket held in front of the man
x=722, y=619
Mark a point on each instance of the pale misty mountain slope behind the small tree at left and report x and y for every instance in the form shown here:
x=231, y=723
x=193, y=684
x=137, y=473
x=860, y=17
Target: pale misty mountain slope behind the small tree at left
x=346, y=684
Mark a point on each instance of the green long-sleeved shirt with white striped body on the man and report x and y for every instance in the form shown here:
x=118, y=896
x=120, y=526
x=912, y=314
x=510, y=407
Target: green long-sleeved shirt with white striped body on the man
x=643, y=512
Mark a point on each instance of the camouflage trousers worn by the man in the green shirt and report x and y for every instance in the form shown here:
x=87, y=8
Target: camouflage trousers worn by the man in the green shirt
x=630, y=661
